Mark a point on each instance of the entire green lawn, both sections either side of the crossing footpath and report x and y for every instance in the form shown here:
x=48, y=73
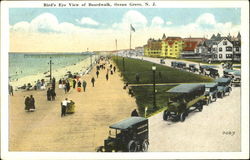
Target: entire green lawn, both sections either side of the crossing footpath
x=144, y=94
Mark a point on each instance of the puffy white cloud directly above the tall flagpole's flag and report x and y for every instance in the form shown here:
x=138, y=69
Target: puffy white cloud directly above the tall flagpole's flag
x=133, y=17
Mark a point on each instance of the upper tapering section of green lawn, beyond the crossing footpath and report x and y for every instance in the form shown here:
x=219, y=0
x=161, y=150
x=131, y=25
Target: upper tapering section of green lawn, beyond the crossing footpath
x=163, y=74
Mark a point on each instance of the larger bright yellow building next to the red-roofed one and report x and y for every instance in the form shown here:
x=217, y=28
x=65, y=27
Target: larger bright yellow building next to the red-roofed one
x=171, y=47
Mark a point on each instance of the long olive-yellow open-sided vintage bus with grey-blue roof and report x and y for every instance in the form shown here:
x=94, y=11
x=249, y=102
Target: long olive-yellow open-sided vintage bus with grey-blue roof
x=184, y=99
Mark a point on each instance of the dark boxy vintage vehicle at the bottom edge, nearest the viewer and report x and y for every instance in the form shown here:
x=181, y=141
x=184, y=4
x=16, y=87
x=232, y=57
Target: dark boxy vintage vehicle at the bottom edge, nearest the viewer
x=129, y=135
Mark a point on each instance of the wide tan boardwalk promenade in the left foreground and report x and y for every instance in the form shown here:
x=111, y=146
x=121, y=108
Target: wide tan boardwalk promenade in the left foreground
x=86, y=129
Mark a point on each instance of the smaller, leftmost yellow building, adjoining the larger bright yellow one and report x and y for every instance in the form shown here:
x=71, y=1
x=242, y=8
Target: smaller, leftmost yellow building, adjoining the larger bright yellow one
x=153, y=48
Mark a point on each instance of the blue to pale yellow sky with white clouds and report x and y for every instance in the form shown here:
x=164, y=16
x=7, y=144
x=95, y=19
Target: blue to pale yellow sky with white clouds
x=76, y=29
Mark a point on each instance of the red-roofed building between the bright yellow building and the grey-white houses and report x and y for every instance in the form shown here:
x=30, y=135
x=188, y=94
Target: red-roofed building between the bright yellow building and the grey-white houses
x=190, y=47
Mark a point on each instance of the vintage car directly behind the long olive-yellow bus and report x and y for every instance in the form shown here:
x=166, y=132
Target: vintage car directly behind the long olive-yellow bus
x=211, y=92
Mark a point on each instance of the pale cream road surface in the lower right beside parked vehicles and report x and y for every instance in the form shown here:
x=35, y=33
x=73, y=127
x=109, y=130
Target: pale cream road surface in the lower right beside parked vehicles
x=201, y=131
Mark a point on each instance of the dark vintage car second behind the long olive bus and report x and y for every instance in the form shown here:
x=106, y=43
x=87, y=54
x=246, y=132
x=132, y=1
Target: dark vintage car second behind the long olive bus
x=224, y=86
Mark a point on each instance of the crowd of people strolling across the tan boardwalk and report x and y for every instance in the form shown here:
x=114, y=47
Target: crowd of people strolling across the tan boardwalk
x=75, y=82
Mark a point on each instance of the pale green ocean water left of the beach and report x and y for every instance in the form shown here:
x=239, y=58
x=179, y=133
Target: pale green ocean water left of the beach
x=26, y=64
